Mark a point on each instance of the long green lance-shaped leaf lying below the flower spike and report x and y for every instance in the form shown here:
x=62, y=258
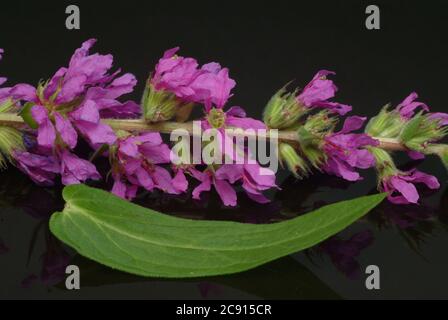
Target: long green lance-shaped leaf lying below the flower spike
x=141, y=241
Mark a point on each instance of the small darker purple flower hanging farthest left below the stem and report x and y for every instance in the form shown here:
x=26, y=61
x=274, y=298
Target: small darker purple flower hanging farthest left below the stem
x=41, y=169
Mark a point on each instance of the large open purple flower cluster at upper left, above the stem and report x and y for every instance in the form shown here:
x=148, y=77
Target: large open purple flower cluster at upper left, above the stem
x=76, y=97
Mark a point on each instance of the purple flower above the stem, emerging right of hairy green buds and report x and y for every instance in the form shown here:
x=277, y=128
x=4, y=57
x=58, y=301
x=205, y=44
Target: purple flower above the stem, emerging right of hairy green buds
x=317, y=93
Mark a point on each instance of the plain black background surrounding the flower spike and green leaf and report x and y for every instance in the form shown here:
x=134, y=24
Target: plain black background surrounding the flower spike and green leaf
x=265, y=45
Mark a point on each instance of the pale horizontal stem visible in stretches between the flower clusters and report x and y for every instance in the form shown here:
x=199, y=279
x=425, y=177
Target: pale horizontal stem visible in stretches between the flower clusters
x=137, y=125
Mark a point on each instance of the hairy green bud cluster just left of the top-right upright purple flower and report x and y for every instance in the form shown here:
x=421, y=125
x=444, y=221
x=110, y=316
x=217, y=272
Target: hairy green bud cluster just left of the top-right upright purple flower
x=283, y=110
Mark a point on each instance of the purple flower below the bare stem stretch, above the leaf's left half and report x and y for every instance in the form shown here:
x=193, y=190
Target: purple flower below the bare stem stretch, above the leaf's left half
x=136, y=164
